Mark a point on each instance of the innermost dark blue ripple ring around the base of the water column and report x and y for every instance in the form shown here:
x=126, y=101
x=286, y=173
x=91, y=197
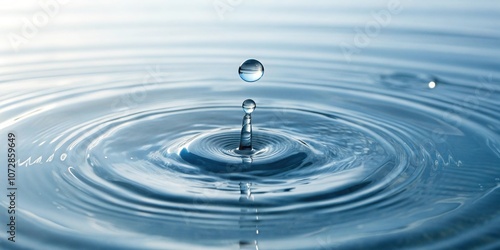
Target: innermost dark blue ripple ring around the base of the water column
x=215, y=152
